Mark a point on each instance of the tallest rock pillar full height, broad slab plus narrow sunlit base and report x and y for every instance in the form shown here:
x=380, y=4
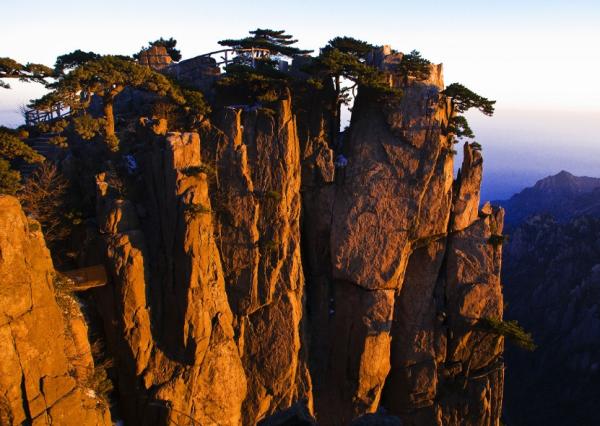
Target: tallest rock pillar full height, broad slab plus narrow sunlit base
x=360, y=233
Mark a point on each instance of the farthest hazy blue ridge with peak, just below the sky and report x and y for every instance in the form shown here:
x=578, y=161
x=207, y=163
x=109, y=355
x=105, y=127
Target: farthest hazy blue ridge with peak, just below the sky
x=563, y=196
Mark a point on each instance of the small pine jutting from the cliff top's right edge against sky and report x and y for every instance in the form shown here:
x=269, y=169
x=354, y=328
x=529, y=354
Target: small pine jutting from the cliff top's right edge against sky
x=462, y=100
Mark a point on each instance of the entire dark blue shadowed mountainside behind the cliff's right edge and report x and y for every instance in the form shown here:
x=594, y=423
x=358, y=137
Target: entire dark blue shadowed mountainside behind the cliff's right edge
x=551, y=278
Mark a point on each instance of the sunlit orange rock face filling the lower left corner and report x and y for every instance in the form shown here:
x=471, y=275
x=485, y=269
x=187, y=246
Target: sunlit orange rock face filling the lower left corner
x=45, y=354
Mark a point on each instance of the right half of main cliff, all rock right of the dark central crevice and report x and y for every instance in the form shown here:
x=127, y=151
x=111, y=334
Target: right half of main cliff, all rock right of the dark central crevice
x=399, y=271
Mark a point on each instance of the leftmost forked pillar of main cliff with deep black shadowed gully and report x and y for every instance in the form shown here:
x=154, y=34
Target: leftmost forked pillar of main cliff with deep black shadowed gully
x=175, y=344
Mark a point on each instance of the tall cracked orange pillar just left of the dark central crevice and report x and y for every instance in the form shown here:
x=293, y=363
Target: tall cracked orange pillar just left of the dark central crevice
x=257, y=194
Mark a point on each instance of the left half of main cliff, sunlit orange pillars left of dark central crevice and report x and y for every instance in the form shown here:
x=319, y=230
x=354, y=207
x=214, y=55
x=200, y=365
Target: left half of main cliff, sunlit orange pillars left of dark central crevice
x=207, y=294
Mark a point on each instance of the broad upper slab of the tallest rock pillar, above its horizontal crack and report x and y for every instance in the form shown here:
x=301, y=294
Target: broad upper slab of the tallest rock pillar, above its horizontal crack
x=393, y=156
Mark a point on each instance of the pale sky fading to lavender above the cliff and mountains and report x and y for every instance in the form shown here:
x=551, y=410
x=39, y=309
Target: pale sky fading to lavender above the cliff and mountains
x=539, y=59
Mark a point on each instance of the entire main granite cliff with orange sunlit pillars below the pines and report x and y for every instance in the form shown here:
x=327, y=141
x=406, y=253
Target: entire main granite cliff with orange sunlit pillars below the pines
x=251, y=280
